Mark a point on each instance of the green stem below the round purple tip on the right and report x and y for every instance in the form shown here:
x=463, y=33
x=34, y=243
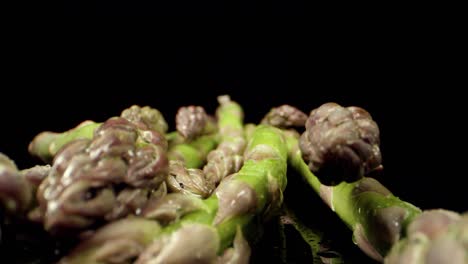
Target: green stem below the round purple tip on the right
x=378, y=218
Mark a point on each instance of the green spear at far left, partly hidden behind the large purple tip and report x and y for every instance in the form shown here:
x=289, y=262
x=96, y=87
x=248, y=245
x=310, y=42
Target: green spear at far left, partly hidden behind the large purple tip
x=46, y=144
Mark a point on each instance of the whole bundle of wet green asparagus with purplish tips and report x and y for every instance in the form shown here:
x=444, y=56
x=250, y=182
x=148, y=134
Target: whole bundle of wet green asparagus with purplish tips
x=130, y=192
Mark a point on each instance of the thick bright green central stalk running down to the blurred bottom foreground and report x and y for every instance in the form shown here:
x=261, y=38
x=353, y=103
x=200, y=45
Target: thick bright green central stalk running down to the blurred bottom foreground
x=205, y=235
